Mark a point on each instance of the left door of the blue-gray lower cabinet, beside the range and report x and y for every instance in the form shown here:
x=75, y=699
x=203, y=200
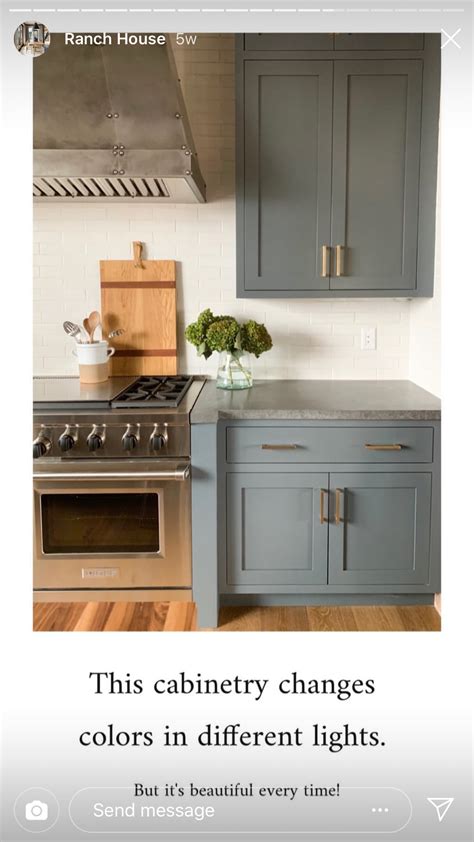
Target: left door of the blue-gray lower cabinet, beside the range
x=274, y=530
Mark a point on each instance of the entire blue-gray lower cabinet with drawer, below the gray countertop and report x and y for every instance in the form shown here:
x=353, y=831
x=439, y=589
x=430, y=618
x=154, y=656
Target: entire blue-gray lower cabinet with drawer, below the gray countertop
x=315, y=512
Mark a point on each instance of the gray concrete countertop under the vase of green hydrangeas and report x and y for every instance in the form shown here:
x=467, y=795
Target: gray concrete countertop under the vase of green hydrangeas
x=318, y=400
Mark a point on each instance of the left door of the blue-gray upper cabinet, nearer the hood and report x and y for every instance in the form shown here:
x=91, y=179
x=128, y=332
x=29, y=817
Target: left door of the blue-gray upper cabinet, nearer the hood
x=286, y=192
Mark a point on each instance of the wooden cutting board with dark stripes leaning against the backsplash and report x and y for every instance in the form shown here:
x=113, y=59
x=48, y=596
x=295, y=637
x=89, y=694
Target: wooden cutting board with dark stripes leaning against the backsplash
x=140, y=296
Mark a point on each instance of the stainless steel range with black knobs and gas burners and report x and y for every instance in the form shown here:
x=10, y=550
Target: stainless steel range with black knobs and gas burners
x=112, y=488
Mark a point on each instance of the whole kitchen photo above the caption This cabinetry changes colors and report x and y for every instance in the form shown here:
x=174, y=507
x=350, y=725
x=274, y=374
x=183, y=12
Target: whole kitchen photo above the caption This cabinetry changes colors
x=237, y=306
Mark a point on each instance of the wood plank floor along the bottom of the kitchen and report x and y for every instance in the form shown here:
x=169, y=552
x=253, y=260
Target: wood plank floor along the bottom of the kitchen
x=181, y=616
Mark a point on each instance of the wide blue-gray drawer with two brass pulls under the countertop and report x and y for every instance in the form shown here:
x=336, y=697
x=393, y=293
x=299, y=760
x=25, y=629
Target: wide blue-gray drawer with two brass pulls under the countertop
x=369, y=445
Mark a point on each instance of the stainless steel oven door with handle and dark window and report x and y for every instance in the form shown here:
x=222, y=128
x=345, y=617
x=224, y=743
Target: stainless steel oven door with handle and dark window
x=112, y=525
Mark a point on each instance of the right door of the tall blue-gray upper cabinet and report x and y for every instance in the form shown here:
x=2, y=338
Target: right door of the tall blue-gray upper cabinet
x=377, y=124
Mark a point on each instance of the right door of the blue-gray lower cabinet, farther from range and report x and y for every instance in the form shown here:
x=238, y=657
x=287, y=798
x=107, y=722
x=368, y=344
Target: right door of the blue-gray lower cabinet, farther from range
x=383, y=533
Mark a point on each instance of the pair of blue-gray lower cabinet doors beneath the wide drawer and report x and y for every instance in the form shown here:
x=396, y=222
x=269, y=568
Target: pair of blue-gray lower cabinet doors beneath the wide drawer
x=332, y=528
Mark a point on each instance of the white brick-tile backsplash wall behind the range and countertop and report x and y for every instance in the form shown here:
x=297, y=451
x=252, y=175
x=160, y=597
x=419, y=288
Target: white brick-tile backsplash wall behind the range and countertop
x=312, y=339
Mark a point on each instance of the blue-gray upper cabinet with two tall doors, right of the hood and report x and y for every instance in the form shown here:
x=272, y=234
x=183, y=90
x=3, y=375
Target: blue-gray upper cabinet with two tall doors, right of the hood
x=336, y=168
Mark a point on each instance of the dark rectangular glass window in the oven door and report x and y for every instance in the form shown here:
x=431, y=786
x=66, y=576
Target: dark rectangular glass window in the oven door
x=100, y=523
